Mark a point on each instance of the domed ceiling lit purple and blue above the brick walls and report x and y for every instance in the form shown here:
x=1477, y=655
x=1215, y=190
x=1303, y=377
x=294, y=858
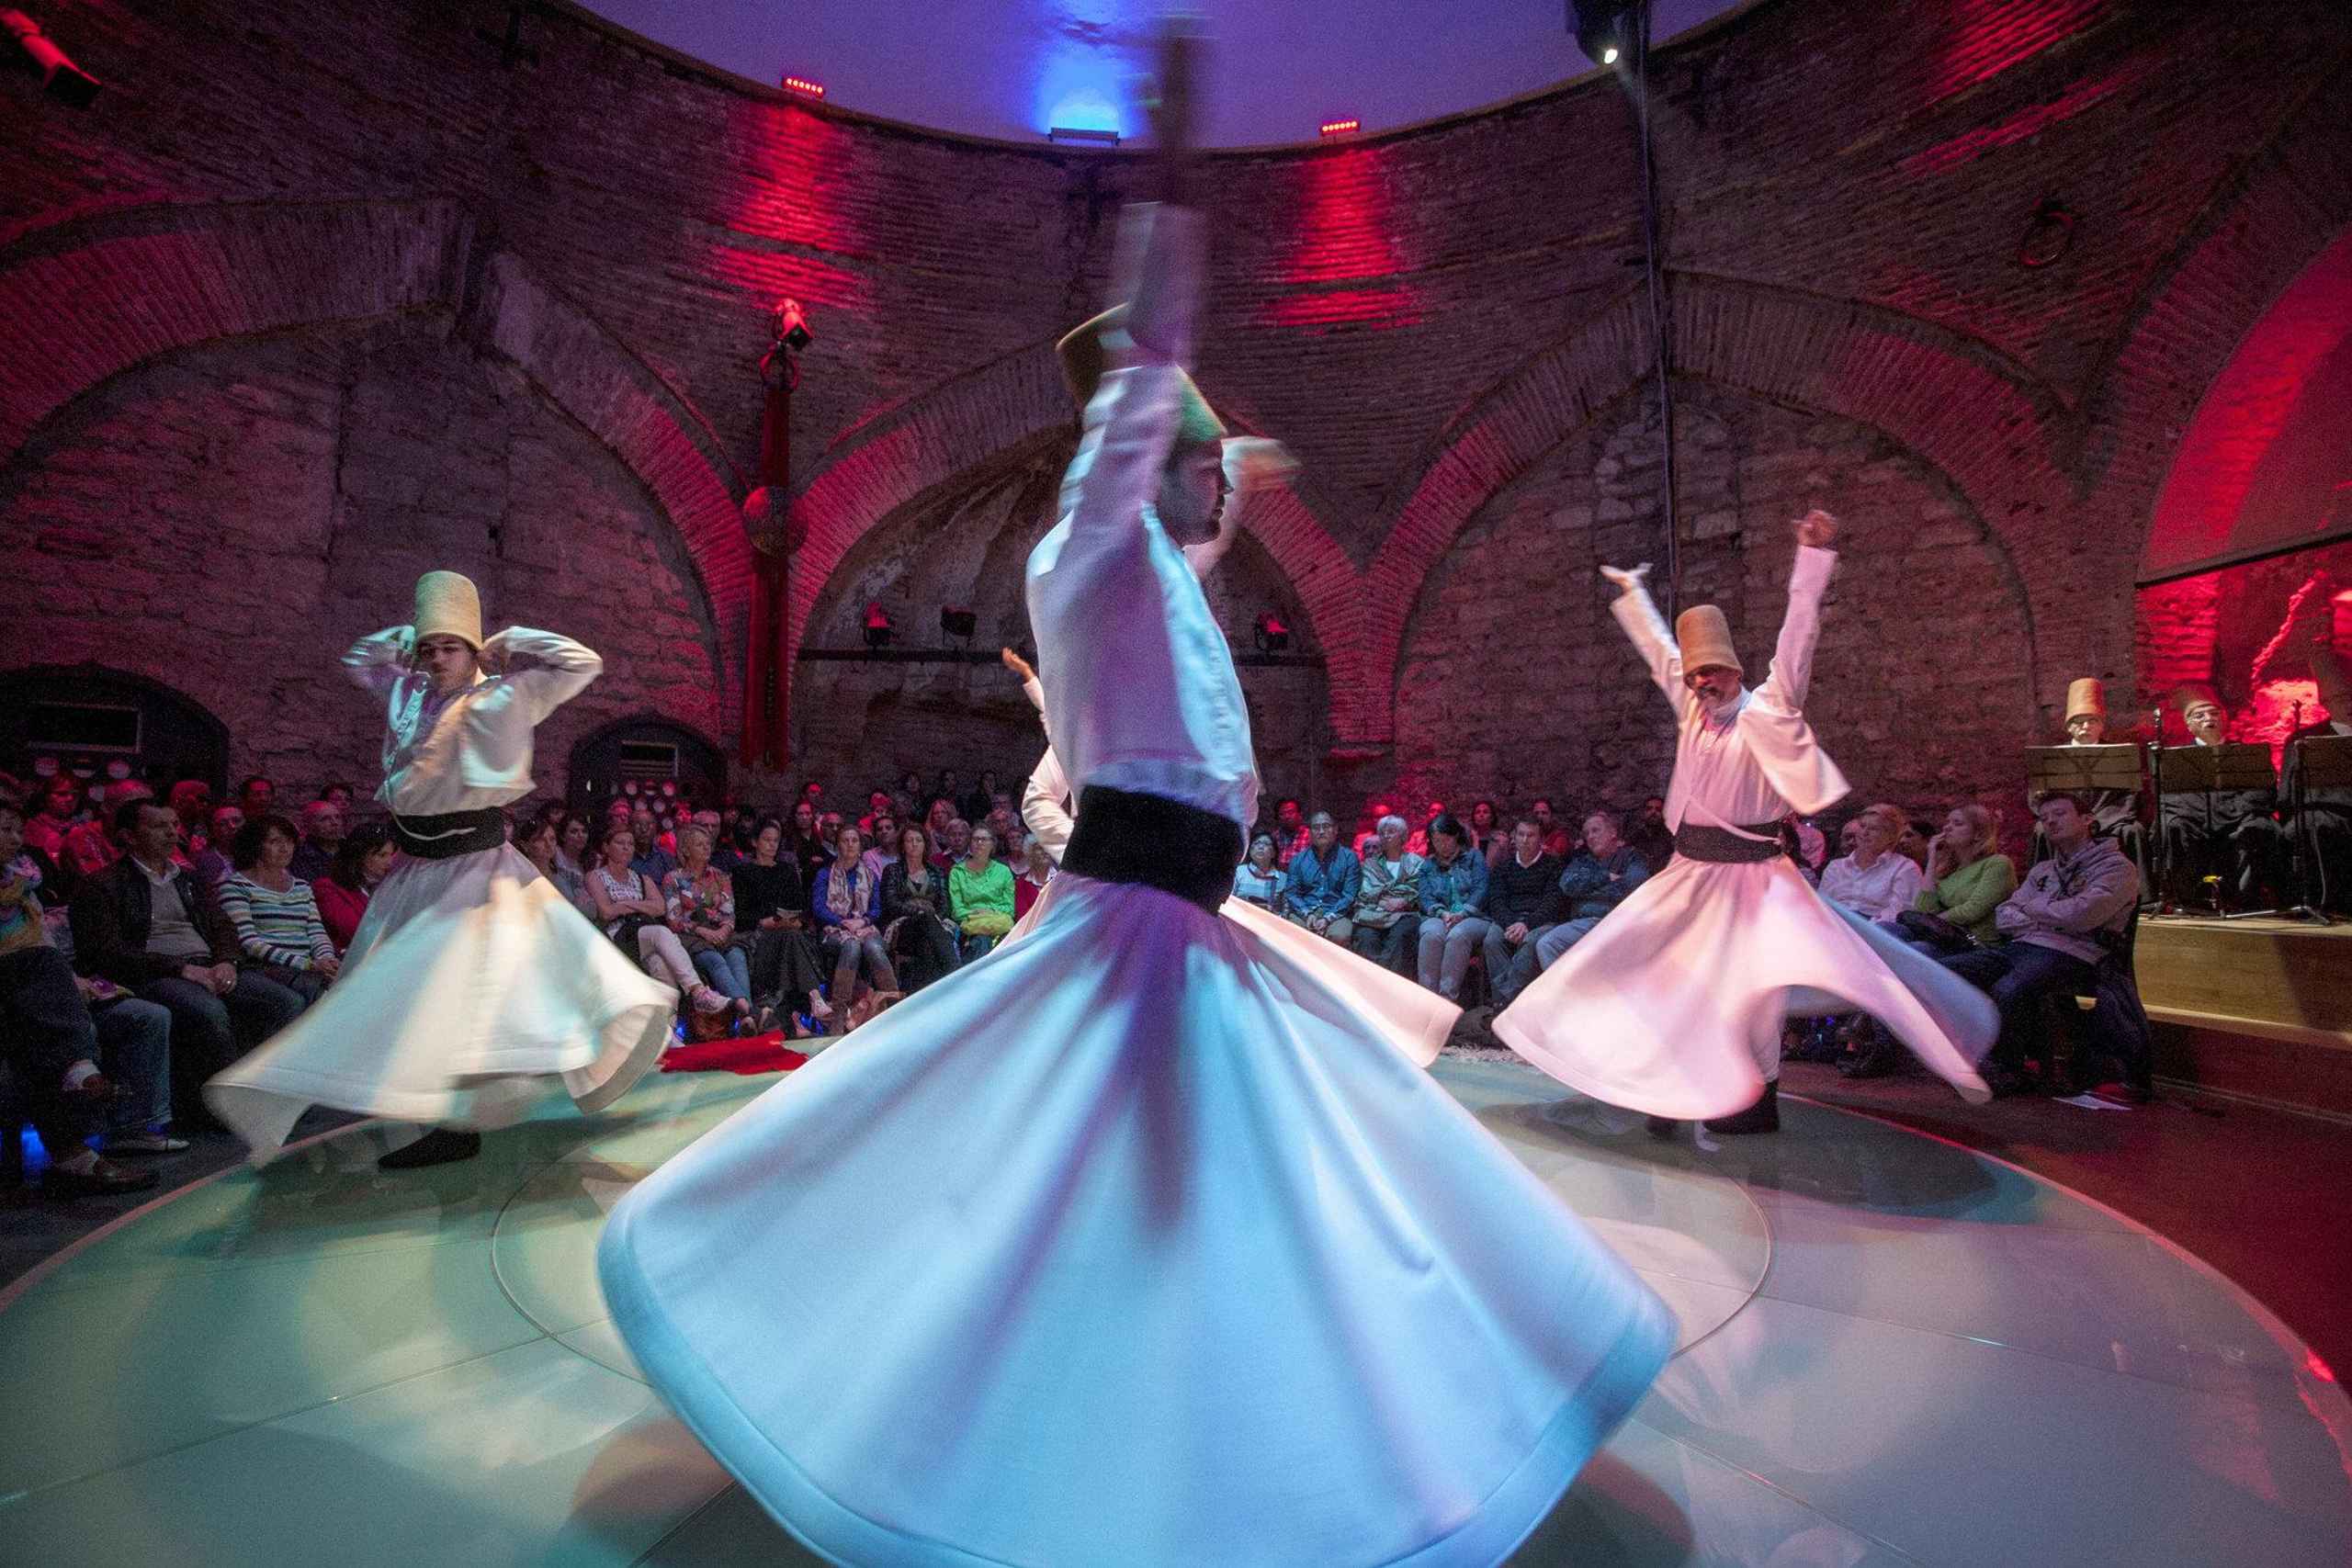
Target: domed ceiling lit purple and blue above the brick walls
x=1017, y=69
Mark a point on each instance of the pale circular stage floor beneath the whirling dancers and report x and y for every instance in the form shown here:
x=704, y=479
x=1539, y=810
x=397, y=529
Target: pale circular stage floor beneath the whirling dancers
x=1892, y=1353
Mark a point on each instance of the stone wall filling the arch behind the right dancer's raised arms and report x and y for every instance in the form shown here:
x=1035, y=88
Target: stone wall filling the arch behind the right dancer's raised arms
x=1518, y=681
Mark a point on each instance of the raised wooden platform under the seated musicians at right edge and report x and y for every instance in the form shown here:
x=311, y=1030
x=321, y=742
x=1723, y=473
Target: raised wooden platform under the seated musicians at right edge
x=2259, y=1010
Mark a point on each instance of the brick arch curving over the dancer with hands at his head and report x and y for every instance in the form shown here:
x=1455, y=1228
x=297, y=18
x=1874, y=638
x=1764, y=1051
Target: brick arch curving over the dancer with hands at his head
x=93, y=297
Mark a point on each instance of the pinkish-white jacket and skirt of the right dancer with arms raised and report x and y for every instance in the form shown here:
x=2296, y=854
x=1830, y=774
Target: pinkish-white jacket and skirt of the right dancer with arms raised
x=1673, y=1005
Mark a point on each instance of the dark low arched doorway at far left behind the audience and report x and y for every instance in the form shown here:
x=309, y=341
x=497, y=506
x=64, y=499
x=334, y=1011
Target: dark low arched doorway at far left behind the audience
x=102, y=725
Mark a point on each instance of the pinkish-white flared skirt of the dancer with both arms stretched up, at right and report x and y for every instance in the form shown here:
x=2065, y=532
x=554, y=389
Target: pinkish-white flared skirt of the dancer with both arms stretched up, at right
x=1673, y=1005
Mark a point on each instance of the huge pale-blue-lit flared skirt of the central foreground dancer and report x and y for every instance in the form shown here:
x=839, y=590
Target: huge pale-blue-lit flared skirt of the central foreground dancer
x=1123, y=1247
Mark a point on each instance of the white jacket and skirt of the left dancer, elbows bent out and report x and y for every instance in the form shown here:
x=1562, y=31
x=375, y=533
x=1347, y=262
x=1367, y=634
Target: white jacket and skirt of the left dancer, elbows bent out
x=472, y=986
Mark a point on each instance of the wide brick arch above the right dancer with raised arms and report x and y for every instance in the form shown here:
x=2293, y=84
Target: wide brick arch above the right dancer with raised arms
x=1967, y=413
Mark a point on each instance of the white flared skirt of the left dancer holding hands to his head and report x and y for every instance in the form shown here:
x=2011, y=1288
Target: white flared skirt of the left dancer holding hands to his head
x=472, y=991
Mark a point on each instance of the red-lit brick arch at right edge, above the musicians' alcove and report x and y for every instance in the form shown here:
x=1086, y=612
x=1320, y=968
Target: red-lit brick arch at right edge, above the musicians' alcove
x=2259, y=234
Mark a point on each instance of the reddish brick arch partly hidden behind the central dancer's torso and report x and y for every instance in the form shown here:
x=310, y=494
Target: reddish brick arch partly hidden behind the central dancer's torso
x=998, y=408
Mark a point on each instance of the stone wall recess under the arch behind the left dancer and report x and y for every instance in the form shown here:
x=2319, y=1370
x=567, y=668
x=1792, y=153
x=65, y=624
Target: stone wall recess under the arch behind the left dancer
x=232, y=518
